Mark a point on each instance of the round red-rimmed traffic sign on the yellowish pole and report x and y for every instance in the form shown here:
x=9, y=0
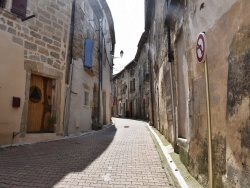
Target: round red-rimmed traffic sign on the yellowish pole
x=201, y=48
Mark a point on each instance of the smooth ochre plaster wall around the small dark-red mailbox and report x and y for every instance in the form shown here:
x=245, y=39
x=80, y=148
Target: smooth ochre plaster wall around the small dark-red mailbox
x=12, y=84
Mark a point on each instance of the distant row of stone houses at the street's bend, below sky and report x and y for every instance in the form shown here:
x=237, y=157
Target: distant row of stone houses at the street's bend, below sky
x=131, y=85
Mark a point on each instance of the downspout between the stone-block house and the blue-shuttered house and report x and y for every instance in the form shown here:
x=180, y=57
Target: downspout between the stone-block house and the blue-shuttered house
x=70, y=75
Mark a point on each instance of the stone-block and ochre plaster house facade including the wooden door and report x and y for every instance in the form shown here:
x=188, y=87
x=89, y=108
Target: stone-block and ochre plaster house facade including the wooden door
x=34, y=43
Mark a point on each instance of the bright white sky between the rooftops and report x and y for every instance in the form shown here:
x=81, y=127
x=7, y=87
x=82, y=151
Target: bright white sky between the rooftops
x=128, y=16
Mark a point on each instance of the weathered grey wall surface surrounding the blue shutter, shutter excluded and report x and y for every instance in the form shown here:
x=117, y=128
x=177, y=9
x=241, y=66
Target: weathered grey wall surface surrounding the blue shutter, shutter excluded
x=83, y=79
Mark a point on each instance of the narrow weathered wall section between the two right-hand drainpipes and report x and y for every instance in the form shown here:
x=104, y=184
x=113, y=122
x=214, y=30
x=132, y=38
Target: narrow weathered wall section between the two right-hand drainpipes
x=160, y=70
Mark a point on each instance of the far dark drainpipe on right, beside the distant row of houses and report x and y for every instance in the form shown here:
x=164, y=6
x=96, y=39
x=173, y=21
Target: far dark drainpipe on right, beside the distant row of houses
x=151, y=80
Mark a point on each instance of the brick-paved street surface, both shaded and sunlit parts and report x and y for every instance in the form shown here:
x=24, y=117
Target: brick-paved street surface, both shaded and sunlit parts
x=123, y=155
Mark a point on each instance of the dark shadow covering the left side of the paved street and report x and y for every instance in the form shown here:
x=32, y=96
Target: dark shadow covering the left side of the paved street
x=45, y=164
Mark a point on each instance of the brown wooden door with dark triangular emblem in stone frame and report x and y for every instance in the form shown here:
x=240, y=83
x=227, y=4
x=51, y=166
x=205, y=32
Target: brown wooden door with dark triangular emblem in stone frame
x=39, y=111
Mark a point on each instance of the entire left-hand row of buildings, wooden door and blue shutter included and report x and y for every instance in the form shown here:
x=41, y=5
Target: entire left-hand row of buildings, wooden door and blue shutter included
x=47, y=89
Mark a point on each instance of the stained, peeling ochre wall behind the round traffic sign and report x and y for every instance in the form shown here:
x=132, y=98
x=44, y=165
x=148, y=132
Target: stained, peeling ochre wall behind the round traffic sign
x=228, y=46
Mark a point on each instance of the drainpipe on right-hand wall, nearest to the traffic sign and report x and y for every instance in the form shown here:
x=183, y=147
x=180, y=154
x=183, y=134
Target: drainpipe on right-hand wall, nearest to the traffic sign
x=170, y=59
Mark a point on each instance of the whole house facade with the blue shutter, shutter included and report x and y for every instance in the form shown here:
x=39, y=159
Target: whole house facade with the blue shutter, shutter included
x=89, y=98
